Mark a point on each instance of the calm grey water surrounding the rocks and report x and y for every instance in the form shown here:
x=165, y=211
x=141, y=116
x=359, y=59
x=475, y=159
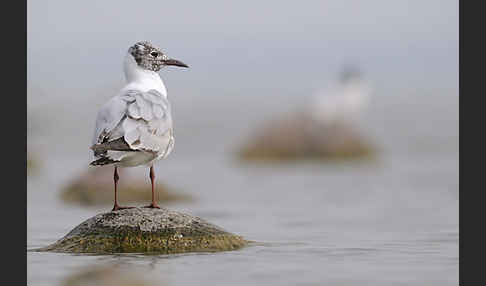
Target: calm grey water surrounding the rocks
x=390, y=222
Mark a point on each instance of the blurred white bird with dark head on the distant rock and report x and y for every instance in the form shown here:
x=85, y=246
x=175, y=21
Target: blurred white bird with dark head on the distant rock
x=341, y=103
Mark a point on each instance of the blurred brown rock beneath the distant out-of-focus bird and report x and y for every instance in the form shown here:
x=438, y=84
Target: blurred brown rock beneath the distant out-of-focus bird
x=298, y=137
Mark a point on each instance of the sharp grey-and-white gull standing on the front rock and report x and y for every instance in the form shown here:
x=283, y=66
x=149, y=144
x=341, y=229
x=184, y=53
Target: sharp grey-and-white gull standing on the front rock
x=134, y=127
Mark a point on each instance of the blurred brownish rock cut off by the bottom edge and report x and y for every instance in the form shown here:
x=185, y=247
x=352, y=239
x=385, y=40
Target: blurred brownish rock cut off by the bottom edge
x=108, y=275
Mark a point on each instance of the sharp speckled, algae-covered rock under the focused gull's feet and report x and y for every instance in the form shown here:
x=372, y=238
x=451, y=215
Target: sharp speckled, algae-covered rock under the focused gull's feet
x=145, y=230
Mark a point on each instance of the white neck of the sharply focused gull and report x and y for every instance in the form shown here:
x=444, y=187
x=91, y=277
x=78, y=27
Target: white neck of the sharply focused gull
x=141, y=79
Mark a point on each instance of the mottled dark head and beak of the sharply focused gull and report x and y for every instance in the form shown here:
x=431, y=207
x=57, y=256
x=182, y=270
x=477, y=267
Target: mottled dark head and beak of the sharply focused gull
x=150, y=57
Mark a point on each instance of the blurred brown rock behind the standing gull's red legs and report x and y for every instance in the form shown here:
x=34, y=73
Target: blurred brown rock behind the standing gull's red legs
x=96, y=187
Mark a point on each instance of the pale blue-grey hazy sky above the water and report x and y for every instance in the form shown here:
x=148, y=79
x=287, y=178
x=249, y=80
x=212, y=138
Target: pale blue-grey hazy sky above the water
x=231, y=45
